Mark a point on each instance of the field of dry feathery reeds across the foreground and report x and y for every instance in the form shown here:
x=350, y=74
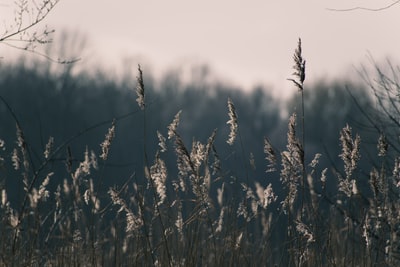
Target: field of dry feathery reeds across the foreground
x=202, y=216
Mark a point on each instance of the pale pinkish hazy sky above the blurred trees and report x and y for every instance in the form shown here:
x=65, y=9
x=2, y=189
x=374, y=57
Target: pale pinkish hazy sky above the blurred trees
x=245, y=43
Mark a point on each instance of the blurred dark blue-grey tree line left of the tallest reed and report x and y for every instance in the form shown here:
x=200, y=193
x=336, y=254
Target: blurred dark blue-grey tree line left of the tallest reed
x=86, y=101
